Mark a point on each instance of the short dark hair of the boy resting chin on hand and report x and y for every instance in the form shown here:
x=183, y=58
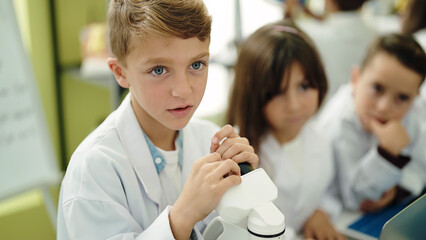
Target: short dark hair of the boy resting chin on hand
x=403, y=47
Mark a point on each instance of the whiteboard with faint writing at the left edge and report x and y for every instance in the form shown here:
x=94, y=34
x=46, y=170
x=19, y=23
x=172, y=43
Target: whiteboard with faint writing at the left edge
x=27, y=159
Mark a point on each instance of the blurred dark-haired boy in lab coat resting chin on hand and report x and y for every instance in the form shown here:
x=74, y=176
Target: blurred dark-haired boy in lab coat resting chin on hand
x=376, y=131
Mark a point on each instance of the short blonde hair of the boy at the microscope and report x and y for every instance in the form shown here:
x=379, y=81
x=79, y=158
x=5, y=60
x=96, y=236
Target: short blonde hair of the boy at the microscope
x=136, y=19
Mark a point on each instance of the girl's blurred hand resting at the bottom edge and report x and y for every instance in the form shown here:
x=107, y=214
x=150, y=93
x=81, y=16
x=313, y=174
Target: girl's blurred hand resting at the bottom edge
x=319, y=227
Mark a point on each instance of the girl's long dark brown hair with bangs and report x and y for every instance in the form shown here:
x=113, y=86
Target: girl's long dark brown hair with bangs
x=262, y=61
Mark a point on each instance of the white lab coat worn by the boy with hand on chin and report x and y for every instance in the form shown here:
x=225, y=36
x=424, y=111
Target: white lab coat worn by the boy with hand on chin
x=362, y=172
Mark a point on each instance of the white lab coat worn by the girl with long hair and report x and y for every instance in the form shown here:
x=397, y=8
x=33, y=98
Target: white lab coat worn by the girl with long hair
x=300, y=194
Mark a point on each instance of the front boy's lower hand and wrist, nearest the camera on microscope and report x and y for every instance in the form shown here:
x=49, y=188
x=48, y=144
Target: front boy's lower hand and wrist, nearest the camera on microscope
x=202, y=192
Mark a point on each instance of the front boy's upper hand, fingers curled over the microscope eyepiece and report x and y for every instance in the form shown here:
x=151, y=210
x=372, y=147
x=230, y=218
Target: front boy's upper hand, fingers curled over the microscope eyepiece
x=233, y=147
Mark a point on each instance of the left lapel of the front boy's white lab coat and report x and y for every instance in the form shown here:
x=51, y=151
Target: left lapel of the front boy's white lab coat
x=137, y=149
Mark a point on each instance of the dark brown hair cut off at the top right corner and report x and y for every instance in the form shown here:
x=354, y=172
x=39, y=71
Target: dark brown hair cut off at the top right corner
x=415, y=18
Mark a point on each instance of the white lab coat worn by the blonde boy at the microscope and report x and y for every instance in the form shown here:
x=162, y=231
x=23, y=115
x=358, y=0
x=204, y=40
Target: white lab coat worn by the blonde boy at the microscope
x=111, y=189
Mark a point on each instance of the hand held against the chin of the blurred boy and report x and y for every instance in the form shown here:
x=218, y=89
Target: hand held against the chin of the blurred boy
x=392, y=136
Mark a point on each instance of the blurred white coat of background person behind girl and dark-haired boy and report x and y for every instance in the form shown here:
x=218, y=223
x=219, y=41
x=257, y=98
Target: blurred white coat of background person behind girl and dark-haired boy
x=342, y=40
